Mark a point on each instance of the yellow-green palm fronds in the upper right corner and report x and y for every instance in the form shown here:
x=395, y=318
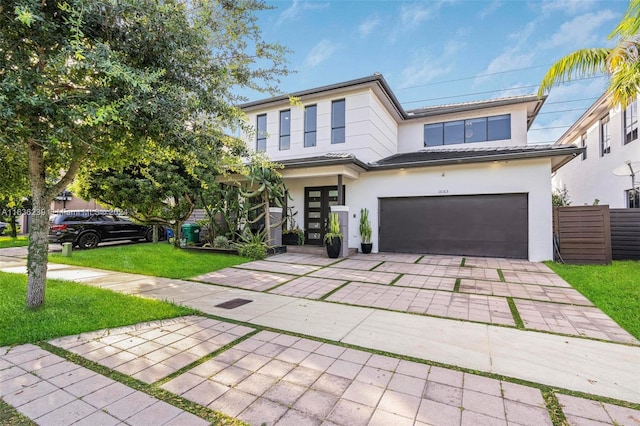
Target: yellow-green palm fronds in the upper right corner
x=620, y=62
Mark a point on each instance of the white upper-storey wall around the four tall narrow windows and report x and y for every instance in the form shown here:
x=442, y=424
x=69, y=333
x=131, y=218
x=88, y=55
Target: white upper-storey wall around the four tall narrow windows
x=371, y=132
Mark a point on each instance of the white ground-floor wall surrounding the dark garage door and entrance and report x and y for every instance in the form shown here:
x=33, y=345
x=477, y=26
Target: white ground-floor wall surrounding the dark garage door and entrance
x=523, y=176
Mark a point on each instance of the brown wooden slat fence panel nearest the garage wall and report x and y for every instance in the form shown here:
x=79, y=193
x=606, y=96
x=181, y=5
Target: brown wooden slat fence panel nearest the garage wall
x=583, y=234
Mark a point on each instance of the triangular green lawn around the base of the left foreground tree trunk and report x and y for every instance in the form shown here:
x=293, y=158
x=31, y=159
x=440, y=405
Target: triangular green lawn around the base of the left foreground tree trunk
x=71, y=308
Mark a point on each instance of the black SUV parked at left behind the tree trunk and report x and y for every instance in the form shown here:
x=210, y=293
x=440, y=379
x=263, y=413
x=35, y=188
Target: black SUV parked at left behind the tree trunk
x=87, y=229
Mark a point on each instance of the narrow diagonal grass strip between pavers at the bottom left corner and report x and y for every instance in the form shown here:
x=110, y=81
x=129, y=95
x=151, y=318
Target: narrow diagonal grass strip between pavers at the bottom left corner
x=216, y=418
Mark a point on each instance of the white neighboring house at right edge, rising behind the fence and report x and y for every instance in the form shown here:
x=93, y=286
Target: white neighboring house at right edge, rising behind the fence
x=610, y=138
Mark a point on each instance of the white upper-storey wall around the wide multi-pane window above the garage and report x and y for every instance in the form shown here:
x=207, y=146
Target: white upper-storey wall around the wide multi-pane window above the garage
x=411, y=133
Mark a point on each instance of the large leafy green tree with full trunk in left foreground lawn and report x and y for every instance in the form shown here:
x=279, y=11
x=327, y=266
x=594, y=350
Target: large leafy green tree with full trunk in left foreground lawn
x=99, y=83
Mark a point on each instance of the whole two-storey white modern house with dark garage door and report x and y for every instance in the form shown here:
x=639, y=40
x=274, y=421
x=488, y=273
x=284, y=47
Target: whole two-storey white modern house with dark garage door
x=454, y=179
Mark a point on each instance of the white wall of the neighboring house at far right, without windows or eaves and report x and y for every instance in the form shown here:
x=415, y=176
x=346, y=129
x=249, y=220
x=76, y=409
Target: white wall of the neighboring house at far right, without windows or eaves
x=593, y=178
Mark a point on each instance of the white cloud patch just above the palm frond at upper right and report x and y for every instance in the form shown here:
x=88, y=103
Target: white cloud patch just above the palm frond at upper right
x=580, y=32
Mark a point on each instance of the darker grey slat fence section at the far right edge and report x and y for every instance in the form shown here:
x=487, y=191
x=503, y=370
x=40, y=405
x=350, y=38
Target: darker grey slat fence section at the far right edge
x=625, y=234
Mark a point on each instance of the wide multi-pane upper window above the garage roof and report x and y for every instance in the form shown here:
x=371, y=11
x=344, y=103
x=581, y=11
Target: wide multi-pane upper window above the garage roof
x=482, y=129
